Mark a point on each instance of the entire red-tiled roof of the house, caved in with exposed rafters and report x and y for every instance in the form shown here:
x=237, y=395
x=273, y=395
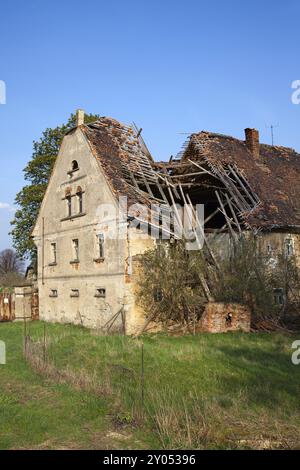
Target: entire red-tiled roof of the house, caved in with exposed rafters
x=242, y=184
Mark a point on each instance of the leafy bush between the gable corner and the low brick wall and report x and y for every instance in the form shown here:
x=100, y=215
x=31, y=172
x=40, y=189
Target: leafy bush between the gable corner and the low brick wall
x=169, y=286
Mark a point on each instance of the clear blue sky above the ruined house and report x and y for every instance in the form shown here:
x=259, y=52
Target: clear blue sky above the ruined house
x=170, y=66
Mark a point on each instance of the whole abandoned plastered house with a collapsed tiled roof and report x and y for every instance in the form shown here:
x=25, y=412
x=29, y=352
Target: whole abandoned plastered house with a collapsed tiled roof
x=86, y=271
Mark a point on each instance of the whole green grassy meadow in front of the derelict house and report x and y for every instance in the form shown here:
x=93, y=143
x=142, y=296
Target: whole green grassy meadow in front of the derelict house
x=208, y=391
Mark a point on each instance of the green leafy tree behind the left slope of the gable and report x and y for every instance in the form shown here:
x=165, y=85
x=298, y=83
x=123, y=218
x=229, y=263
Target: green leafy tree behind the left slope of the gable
x=37, y=173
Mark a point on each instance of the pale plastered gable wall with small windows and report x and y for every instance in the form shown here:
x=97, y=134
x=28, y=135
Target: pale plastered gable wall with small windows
x=87, y=275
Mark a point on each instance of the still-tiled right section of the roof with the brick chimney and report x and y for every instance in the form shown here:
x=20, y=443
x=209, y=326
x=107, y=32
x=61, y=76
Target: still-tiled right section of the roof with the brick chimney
x=272, y=174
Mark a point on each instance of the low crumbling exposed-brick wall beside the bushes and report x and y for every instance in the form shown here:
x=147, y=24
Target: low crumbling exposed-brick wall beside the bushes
x=220, y=318
